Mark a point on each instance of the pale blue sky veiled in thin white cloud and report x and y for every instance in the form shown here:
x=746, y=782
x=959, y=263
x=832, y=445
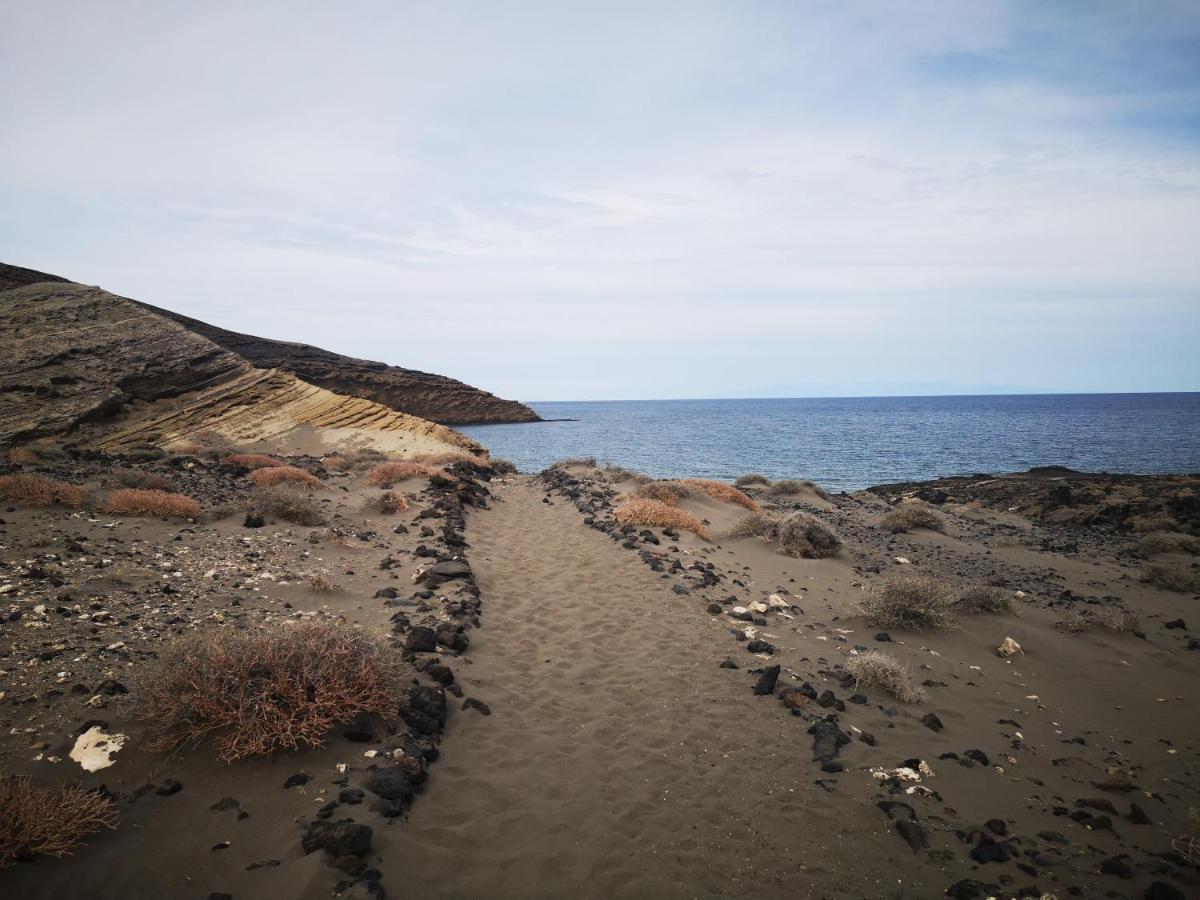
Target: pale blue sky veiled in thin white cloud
x=590, y=201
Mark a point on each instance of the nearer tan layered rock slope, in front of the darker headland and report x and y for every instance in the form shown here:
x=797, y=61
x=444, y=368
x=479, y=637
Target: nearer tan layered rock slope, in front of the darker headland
x=109, y=371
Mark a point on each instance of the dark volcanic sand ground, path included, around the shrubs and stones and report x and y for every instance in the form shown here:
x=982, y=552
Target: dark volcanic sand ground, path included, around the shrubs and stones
x=620, y=759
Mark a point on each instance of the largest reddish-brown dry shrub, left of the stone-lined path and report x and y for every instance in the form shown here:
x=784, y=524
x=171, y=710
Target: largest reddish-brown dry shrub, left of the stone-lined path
x=266, y=689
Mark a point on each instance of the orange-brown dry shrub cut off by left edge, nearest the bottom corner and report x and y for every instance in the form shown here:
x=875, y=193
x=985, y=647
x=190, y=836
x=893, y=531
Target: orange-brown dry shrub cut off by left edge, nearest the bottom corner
x=35, y=821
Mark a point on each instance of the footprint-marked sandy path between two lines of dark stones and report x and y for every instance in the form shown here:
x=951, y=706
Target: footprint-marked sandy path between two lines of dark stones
x=619, y=759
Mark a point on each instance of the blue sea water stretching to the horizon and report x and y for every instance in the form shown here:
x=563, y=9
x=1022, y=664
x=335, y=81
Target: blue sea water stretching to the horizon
x=850, y=443
